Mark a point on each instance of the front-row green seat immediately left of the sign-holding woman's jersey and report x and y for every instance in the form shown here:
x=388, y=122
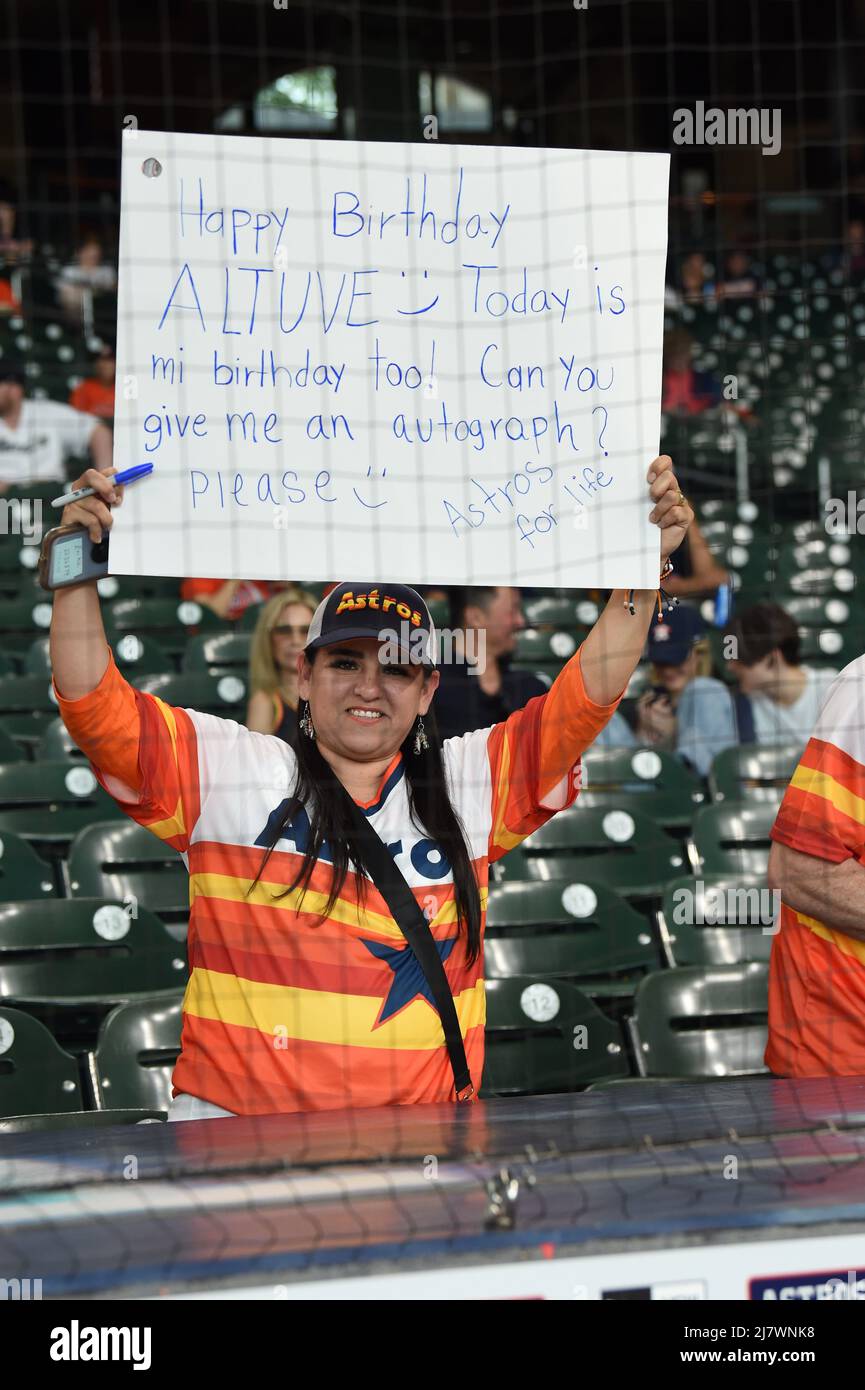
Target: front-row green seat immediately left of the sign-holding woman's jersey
x=136, y=1053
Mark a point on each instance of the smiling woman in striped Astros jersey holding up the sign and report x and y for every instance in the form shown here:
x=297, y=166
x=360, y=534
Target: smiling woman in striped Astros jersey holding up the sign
x=304, y=995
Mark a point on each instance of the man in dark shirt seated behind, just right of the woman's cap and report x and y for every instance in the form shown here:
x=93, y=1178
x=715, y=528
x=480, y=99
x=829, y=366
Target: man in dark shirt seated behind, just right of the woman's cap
x=489, y=692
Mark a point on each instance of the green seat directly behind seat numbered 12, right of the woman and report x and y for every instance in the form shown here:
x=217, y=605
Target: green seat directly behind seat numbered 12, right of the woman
x=579, y=932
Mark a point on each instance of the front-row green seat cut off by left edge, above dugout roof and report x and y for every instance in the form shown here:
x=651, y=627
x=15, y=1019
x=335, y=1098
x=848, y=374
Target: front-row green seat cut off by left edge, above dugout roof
x=35, y=1074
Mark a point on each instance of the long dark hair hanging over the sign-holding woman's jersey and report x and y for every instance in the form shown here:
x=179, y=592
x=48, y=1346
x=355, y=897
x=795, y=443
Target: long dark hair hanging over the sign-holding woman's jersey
x=321, y=793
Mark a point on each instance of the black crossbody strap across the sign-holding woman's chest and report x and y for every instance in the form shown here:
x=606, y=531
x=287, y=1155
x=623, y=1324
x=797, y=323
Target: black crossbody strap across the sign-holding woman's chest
x=410, y=918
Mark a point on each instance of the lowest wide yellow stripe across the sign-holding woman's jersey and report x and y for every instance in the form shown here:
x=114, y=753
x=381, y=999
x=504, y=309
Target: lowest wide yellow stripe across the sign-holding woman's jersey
x=318, y=1017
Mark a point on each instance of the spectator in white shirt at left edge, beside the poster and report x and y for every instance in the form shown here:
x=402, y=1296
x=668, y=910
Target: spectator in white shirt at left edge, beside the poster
x=37, y=437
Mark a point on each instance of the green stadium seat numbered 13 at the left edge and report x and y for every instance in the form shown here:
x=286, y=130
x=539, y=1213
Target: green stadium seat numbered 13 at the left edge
x=86, y=951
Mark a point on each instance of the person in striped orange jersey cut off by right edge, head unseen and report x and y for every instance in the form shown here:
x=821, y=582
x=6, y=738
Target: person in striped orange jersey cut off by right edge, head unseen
x=817, y=970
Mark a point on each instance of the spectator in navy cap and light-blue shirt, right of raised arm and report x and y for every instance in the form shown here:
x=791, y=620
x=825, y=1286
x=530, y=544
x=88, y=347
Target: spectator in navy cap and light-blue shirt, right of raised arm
x=686, y=711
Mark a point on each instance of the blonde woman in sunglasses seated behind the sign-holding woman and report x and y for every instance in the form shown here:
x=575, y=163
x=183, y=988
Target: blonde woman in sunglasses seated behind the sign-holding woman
x=279, y=640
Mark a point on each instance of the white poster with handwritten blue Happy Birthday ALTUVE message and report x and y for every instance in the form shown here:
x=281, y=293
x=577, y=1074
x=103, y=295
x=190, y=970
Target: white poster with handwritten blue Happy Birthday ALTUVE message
x=389, y=362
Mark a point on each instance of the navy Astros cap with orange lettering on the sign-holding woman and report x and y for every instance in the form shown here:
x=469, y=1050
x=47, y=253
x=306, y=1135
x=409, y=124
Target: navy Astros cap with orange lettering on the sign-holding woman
x=379, y=611
